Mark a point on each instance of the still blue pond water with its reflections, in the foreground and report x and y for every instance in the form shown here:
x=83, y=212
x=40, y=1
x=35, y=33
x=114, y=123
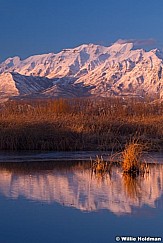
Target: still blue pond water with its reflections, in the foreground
x=63, y=201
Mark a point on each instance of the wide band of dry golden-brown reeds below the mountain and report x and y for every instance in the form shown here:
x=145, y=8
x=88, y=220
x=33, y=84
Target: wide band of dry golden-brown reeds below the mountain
x=79, y=124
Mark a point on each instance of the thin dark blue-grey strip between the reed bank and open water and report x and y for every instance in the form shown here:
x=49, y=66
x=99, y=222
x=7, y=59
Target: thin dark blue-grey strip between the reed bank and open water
x=46, y=156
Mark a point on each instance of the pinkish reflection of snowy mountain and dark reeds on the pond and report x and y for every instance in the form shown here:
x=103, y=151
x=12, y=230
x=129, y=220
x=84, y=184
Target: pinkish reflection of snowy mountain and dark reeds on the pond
x=73, y=184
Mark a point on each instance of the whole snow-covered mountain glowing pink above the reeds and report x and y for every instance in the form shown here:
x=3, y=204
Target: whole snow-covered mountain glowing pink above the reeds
x=85, y=70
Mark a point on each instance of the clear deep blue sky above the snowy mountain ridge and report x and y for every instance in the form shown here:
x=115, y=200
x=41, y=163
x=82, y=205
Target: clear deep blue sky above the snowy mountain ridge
x=41, y=26
